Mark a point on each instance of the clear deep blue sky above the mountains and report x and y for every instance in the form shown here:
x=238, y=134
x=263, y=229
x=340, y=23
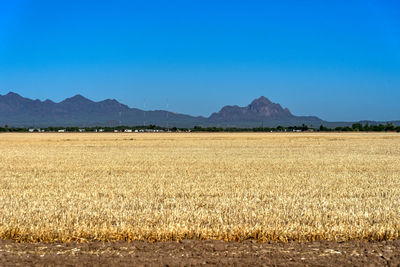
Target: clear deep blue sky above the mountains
x=339, y=60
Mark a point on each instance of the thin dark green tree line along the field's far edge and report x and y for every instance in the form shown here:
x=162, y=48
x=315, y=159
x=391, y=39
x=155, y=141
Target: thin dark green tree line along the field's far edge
x=357, y=127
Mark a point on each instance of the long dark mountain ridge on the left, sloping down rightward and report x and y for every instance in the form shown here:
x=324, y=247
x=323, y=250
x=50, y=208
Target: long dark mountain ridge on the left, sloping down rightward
x=18, y=111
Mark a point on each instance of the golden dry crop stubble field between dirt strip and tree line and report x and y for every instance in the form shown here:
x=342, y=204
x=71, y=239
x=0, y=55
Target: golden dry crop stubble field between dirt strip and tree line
x=272, y=186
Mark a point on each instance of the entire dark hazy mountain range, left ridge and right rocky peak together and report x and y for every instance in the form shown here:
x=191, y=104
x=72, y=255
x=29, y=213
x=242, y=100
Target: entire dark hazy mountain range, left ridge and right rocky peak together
x=18, y=111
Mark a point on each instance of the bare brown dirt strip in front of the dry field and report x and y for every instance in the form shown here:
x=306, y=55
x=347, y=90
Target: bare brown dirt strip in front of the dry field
x=194, y=252
